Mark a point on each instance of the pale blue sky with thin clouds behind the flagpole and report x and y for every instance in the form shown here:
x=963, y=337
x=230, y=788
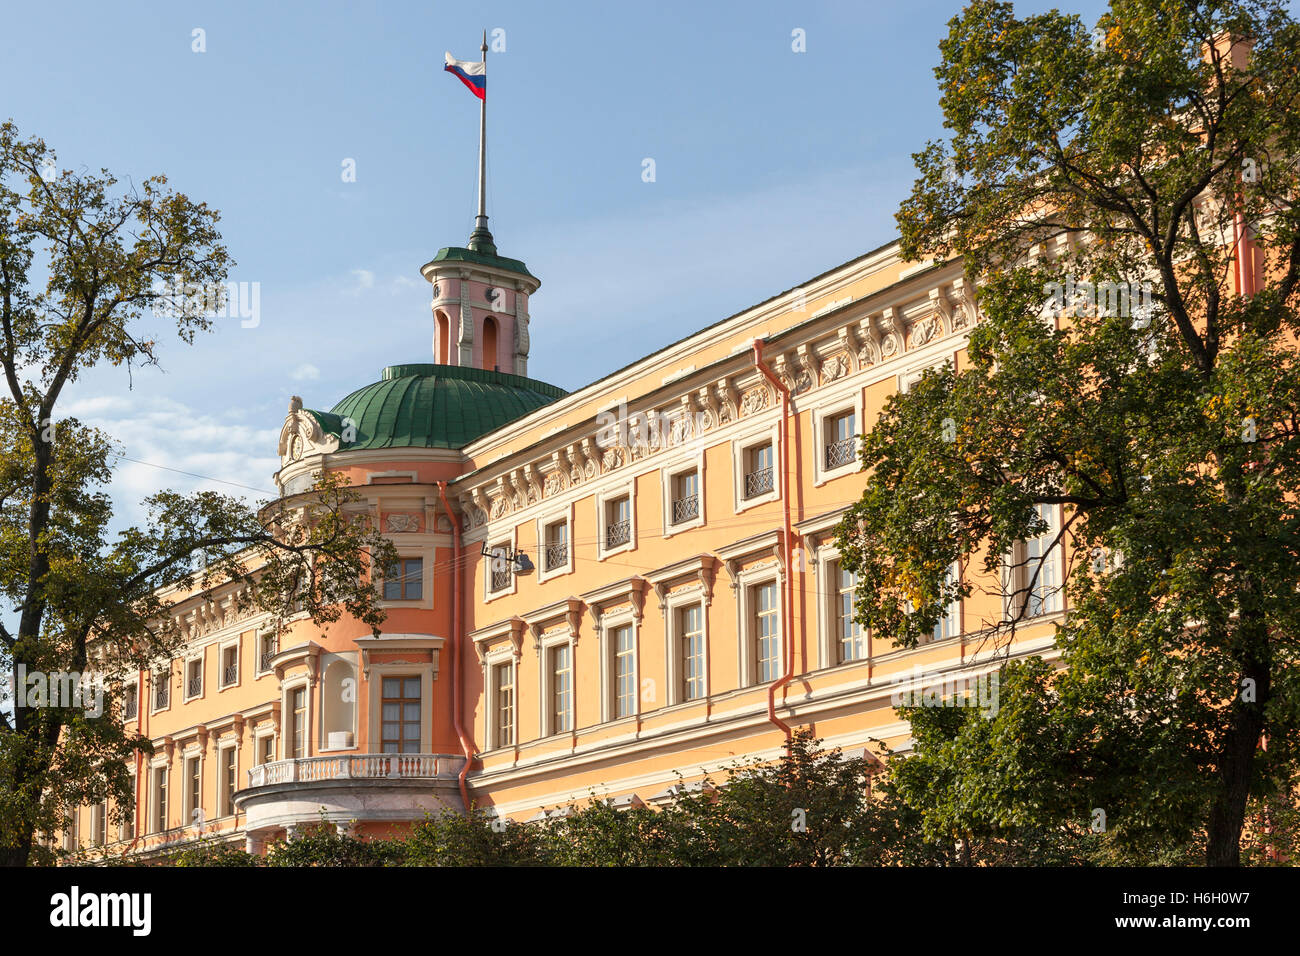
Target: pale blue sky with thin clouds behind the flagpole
x=772, y=167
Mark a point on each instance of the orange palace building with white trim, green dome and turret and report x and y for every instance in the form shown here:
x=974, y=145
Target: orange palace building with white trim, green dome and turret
x=597, y=591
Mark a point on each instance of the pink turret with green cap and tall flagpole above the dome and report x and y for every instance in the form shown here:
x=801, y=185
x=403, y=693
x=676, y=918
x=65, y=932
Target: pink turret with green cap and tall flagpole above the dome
x=480, y=299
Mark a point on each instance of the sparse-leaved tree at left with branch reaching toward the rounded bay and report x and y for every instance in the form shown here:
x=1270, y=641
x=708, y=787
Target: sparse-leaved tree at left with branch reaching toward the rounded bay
x=80, y=269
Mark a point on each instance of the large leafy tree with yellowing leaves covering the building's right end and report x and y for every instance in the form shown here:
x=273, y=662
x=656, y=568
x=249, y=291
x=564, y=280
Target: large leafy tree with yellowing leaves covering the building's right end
x=1156, y=153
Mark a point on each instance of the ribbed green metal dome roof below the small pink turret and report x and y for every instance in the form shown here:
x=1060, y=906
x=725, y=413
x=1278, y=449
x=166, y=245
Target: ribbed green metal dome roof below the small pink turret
x=434, y=408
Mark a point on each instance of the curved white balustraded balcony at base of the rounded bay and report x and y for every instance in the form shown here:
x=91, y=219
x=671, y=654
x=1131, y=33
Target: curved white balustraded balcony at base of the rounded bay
x=365, y=788
